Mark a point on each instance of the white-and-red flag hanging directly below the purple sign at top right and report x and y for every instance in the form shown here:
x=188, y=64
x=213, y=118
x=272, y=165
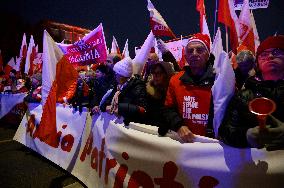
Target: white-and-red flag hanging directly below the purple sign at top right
x=246, y=34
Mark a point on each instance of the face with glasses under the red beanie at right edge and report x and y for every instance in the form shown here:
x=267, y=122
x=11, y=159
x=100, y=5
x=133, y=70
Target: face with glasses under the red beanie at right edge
x=271, y=64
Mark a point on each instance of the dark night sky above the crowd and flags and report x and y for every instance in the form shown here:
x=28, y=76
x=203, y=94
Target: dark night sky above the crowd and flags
x=123, y=18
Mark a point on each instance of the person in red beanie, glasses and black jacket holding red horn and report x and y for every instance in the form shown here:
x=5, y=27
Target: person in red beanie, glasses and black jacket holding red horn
x=240, y=127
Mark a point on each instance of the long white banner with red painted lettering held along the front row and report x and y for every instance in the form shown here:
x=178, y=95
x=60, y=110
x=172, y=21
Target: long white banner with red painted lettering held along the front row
x=111, y=155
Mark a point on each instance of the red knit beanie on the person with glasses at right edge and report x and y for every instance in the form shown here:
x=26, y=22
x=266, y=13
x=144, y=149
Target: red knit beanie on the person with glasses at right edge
x=271, y=42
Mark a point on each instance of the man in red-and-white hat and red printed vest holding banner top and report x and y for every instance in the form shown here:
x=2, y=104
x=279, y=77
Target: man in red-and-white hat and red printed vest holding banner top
x=188, y=101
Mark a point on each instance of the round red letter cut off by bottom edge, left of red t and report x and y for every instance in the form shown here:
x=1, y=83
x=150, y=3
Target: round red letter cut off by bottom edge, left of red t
x=140, y=179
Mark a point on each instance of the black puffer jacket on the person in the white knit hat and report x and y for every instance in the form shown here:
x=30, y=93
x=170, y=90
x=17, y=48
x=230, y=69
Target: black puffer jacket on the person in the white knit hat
x=132, y=96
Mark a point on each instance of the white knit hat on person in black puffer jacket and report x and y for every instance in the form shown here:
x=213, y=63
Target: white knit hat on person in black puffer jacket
x=124, y=67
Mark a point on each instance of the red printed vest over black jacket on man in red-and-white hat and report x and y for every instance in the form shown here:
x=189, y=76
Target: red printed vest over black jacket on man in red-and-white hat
x=189, y=102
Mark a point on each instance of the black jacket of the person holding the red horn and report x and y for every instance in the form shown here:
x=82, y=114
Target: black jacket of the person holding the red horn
x=238, y=119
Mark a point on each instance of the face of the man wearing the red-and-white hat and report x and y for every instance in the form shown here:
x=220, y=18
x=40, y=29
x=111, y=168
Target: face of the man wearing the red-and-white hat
x=196, y=56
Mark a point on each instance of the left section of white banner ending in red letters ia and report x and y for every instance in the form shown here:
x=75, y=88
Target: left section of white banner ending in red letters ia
x=70, y=126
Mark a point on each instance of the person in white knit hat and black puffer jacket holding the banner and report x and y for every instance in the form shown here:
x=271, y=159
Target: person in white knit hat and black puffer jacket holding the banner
x=129, y=99
